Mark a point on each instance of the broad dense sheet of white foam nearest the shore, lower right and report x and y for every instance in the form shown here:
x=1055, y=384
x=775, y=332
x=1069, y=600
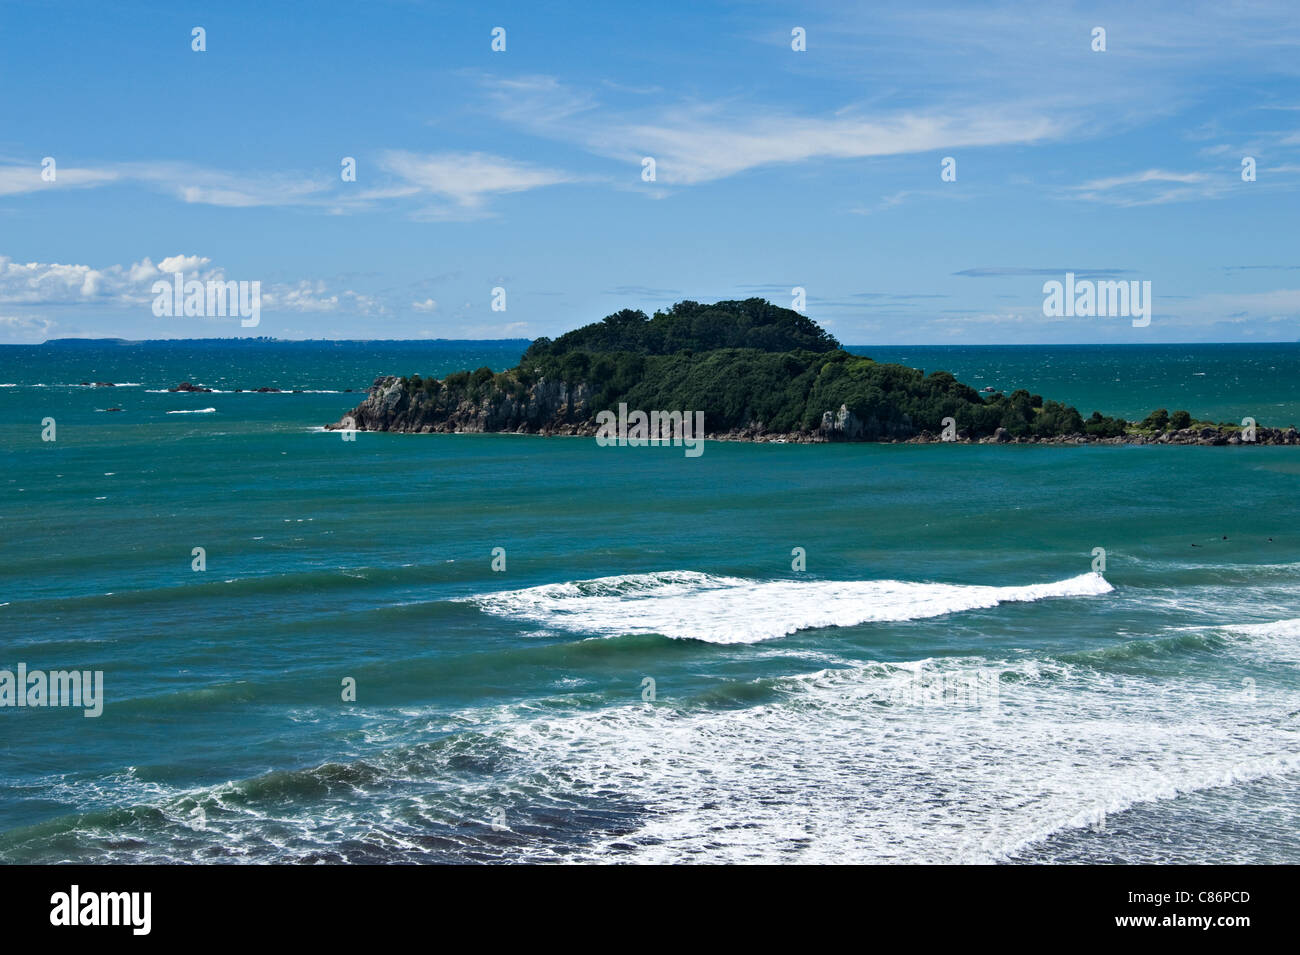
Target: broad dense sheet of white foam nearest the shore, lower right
x=838, y=770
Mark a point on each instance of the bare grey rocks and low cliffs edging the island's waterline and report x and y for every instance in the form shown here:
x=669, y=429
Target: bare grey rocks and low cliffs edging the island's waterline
x=558, y=410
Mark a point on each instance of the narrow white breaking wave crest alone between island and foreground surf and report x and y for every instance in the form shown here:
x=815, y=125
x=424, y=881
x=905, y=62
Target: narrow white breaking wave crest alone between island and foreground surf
x=729, y=610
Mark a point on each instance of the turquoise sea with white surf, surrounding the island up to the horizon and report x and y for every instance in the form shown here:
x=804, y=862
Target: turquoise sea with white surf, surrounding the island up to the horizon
x=947, y=681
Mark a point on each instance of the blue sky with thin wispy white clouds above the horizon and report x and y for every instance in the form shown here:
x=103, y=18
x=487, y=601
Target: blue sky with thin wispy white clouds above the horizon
x=525, y=170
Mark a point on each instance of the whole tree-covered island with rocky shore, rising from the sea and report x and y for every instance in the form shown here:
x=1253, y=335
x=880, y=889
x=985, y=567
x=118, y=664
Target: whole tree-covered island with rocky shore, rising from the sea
x=759, y=374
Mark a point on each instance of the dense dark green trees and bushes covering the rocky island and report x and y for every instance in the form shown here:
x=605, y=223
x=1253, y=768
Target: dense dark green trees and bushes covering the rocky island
x=756, y=364
